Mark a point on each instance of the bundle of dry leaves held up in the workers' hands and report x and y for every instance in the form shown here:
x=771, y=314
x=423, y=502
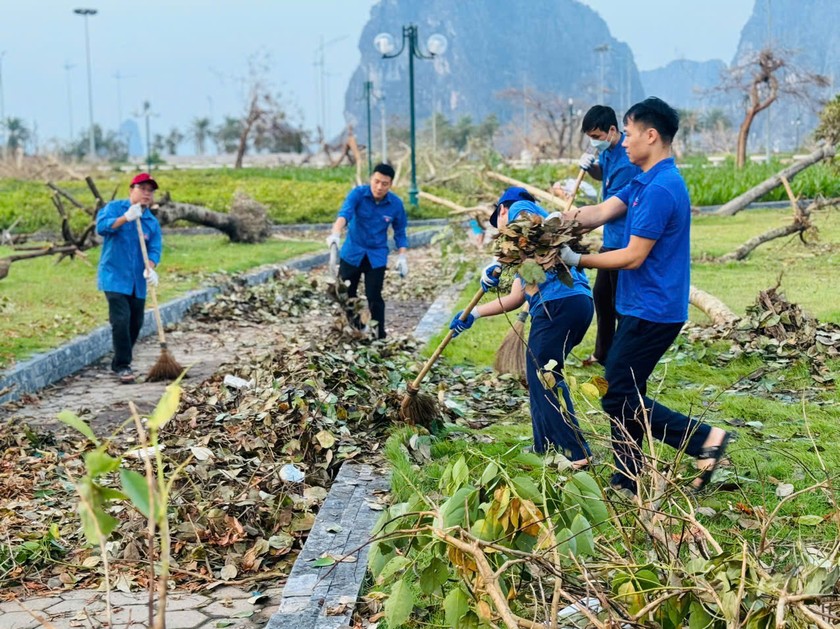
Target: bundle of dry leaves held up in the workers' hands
x=530, y=246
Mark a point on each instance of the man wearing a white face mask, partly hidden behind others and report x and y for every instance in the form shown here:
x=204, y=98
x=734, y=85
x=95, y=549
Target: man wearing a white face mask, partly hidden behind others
x=614, y=170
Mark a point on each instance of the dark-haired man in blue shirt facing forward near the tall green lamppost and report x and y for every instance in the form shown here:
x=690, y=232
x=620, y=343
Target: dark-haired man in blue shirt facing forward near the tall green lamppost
x=368, y=212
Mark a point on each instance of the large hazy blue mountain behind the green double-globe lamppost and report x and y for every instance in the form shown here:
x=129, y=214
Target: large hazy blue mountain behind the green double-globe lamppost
x=537, y=46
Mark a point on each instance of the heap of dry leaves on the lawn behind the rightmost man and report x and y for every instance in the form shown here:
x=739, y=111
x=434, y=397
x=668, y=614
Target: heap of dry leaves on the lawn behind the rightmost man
x=780, y=333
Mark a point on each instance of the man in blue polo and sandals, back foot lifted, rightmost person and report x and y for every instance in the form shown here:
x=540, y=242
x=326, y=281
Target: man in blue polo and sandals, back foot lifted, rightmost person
x=652, y=297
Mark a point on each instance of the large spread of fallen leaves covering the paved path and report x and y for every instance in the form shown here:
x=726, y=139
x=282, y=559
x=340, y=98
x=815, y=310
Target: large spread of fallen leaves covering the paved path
x=237, y=512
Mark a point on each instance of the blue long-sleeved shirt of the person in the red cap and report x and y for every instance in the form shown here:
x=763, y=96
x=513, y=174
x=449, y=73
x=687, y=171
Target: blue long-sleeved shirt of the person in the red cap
x=121, y=261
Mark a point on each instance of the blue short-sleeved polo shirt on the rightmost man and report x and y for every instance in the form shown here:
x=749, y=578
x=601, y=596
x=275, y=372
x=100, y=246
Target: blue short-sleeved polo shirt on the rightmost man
x=658, y=208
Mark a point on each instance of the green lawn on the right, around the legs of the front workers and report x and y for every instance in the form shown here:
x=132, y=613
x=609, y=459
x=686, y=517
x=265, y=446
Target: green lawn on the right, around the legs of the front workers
x=785, y=424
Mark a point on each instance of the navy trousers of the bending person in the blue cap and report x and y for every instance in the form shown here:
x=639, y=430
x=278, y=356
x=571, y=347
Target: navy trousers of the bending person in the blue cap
x=557, y=326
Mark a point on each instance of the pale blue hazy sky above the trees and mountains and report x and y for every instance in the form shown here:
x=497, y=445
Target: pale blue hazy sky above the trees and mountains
x=190, y=58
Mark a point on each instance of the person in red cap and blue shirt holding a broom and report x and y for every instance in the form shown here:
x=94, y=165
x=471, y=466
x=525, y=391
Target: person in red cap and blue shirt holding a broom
x=122, y=273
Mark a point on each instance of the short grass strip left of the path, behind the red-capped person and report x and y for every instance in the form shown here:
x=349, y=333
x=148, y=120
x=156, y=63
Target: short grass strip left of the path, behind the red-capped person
x=45, y=304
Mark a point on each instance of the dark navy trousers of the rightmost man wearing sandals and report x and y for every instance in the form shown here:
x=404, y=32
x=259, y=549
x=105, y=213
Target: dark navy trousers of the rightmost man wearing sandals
x=636, y=349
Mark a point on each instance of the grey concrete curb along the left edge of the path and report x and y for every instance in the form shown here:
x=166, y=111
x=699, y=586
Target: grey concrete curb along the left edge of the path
x=45, y=369
